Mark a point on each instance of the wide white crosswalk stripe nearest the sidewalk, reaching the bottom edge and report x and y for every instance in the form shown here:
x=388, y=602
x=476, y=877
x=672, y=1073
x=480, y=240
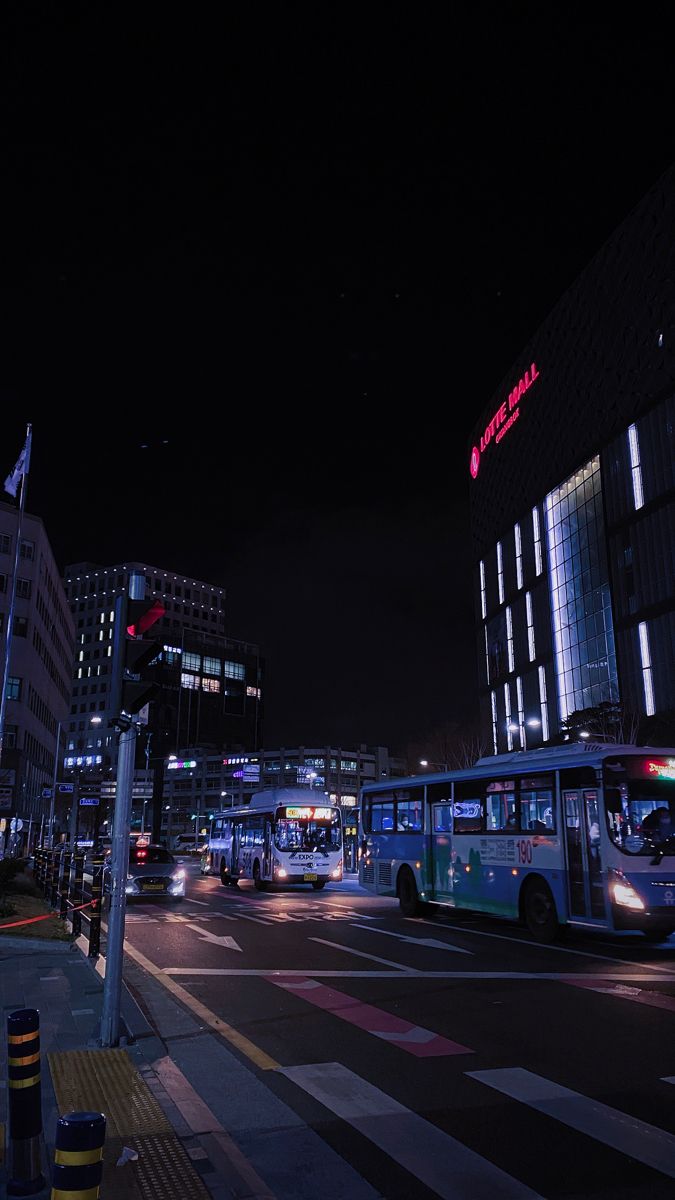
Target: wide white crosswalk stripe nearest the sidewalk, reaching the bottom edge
x=449, y=1168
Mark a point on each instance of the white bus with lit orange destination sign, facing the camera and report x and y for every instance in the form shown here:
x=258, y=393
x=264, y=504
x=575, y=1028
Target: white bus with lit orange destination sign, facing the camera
x=283, y=836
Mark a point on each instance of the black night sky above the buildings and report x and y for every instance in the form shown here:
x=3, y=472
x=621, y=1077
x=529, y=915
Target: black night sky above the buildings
x=294, y=254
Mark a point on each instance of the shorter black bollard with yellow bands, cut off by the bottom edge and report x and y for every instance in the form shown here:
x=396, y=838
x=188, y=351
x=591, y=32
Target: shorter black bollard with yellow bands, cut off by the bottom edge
x=79, y=1156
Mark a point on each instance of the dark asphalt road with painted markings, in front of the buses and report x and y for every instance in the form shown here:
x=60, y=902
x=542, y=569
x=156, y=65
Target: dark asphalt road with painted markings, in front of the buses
x=441, y=1057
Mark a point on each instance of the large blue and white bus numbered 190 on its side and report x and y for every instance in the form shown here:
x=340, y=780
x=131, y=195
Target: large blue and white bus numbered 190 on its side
x=564, y=836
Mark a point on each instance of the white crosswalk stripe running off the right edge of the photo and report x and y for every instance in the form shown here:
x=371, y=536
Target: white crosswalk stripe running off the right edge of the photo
x=646, y=1143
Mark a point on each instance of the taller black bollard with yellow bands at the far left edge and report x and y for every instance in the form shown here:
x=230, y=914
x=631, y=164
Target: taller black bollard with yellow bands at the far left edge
x=25, y=1103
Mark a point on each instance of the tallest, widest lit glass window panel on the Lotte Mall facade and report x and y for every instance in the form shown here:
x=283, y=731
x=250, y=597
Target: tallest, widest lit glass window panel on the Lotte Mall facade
x=586, y=659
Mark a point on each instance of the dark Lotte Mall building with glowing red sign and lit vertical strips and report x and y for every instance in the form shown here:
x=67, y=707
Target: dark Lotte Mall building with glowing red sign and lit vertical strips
x=574, y=501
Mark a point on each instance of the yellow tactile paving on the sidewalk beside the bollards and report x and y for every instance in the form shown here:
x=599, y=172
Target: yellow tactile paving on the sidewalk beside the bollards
x=107, y=1082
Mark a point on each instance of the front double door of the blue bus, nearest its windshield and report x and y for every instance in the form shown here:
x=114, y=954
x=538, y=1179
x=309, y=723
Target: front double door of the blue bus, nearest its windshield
x=583, y=845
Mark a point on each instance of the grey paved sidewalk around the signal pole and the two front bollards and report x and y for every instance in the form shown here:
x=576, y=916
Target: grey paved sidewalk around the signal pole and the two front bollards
x=202, y=1123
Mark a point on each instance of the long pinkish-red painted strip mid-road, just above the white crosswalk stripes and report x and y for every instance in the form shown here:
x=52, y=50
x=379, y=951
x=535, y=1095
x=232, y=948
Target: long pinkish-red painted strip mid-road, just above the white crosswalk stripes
x=417, y=1041
